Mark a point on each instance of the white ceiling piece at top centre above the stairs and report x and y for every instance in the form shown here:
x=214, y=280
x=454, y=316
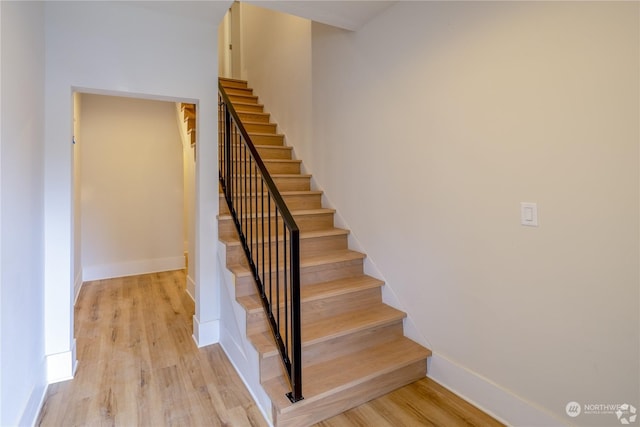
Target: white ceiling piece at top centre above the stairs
x=347, y=14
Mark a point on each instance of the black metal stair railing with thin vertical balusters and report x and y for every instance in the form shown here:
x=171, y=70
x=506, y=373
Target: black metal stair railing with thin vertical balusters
x=268, y=234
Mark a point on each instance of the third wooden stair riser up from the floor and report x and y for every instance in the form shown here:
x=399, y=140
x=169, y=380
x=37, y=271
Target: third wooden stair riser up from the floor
x=320, y=308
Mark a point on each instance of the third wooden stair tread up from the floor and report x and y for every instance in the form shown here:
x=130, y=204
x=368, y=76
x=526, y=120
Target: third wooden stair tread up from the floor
x=252, y=303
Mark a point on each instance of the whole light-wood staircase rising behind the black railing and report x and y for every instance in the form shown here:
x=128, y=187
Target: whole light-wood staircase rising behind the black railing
x=354, y=348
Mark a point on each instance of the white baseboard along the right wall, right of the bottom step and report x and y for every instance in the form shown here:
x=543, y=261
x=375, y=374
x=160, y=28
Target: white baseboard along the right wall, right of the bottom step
x=491, y=398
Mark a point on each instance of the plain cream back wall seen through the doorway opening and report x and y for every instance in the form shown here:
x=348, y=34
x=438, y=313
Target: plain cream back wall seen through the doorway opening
x=132, y=187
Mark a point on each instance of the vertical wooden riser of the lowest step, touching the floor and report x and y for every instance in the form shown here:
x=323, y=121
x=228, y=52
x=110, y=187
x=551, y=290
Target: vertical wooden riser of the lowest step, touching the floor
x=348, y=398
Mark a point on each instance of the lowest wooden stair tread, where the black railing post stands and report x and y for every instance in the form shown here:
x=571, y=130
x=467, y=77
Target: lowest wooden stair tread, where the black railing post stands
x=346, y=371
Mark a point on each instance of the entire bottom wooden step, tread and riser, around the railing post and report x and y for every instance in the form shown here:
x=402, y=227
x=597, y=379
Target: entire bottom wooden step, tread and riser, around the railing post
x=337, y=385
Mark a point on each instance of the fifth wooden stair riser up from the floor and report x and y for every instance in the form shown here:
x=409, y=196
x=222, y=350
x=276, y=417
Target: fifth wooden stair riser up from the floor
x=308, y=247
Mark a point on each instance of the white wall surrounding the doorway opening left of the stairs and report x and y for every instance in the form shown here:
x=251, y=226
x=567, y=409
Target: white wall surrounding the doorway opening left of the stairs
x=138, y=48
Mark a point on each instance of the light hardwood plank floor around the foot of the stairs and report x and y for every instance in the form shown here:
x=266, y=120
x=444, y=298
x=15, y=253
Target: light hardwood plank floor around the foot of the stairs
x=138, y=365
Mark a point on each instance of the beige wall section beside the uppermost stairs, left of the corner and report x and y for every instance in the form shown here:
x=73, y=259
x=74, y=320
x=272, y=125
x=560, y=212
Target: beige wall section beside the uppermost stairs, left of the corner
x=276, y=60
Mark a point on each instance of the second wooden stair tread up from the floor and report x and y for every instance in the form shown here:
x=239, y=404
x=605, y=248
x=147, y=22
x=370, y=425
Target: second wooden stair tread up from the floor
x=333, y=326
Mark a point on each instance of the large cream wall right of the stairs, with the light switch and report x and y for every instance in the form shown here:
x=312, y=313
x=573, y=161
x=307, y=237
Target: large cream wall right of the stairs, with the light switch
x=431, y=124
